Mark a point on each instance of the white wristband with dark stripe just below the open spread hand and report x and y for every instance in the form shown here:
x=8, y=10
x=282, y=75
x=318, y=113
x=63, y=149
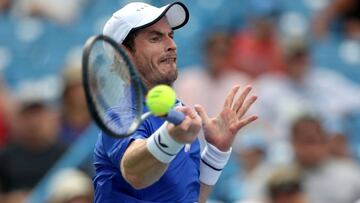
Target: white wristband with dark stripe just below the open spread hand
x=212, y=162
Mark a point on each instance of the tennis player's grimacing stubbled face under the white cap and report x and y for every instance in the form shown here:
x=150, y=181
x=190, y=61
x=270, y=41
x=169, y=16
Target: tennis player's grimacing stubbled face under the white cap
x=155, y=54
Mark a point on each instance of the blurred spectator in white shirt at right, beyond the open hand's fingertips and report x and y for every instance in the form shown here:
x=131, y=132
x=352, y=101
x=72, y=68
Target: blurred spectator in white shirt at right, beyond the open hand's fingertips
x=303, y=89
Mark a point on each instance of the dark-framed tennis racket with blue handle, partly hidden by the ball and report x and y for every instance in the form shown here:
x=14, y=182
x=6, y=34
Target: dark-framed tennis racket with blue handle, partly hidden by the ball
x=114, y=92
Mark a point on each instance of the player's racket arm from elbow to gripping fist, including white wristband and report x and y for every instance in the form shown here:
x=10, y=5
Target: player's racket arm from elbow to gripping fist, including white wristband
x=141, y=166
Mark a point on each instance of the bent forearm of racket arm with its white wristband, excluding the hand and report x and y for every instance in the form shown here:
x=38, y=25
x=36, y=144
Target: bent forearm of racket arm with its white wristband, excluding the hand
x=145, y=161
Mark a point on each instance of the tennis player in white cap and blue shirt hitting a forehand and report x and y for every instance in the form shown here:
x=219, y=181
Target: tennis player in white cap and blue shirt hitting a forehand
x=160, y=162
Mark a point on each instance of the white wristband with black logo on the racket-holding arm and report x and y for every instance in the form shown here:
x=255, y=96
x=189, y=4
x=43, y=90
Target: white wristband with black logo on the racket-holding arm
x=162, y=146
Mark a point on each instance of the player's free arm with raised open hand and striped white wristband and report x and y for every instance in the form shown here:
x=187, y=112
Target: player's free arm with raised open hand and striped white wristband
x=219, y=133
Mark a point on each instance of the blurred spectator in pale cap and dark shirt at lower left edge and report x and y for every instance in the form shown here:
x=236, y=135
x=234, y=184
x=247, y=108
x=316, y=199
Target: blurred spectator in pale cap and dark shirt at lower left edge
x=34, y=147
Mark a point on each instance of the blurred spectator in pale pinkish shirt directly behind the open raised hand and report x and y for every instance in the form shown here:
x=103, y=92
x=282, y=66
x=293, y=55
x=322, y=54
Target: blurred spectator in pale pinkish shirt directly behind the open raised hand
x=198, y=85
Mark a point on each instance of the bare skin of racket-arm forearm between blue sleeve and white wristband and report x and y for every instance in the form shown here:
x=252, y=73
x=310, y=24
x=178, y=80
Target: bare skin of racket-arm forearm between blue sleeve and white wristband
x=139, y=167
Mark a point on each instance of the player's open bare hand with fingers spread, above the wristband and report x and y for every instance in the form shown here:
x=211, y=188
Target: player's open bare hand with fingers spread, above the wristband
x=220, y=131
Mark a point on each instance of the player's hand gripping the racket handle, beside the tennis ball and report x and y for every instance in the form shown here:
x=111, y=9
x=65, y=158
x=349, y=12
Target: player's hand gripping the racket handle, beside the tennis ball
x=186, y=131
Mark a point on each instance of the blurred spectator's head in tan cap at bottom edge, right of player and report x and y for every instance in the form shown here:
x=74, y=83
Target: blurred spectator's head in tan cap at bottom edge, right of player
x=285, y=186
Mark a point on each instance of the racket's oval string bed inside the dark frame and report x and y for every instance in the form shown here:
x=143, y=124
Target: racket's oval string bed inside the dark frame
x=112, y=88
